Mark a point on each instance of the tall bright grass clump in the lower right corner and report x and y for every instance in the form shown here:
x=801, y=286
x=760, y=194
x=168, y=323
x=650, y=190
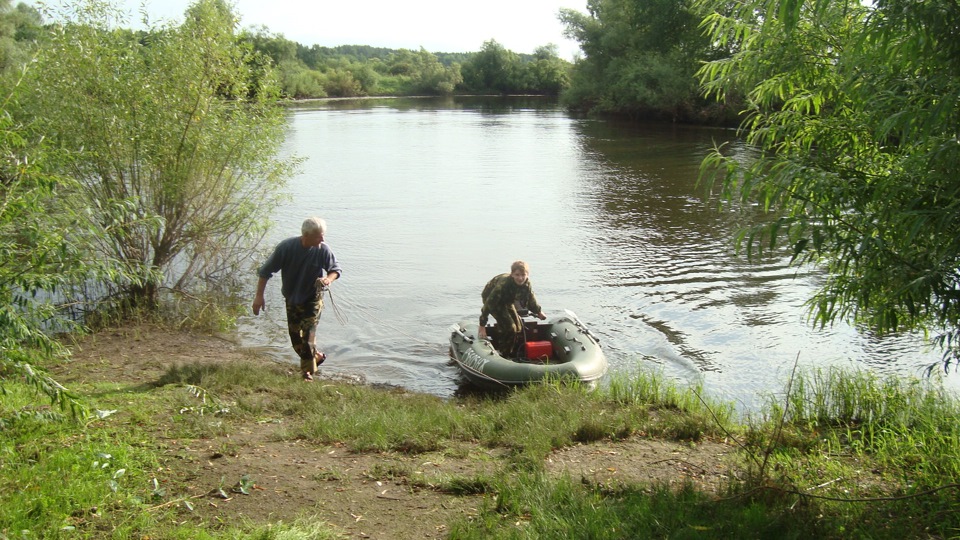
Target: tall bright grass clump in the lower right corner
x=897, y=432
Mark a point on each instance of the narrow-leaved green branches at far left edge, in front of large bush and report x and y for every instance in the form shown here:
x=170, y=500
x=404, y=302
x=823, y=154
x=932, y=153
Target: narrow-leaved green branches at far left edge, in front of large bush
x=41, y=254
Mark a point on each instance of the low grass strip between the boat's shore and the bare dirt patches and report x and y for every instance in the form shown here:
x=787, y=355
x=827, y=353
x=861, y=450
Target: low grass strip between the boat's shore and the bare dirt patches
x=530, y=422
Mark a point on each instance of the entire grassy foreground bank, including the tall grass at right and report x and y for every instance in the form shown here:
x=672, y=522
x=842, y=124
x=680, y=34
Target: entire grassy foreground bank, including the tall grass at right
x=853, y=456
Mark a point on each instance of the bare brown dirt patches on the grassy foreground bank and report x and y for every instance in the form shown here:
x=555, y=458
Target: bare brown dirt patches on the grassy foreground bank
x=363, y=495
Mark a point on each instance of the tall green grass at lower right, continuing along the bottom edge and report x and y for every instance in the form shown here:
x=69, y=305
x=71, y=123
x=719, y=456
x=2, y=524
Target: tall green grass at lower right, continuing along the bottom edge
x=839, y=423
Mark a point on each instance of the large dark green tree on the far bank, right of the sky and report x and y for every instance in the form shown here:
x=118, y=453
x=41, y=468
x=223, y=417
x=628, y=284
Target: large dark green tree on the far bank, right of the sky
x=640, y=60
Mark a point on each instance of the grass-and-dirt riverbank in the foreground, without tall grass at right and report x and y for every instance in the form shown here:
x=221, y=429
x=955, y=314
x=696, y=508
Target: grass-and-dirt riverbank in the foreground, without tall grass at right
x=188, y=435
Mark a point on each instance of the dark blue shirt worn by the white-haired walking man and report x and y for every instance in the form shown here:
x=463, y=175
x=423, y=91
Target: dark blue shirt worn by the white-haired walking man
x=299, y=268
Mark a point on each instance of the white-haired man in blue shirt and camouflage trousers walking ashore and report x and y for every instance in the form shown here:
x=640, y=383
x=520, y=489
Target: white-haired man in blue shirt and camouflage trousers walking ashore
x=306, y=266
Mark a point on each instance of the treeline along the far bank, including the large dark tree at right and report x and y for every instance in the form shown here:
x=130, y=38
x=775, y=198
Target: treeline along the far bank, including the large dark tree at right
x=639, y=60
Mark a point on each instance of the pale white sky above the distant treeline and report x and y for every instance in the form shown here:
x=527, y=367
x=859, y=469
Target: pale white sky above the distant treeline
x=436, y=25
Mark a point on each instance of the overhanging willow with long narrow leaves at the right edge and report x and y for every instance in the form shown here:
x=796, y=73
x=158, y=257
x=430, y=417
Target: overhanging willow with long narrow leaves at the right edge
x=856, y=112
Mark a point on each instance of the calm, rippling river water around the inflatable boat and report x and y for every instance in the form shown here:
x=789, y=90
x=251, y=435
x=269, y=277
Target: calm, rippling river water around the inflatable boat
x=426, y=199
